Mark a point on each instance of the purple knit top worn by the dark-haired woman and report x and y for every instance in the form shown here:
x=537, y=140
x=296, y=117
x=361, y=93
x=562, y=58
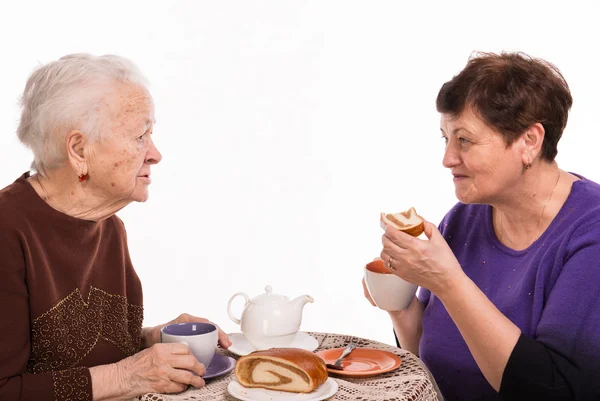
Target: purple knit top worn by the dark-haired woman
x=550, y=290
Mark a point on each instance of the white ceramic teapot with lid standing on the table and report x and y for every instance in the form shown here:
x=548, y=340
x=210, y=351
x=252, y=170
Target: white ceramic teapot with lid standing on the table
x=270, y=320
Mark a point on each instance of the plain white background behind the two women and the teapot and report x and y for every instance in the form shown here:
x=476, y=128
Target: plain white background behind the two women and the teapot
x=287, y=126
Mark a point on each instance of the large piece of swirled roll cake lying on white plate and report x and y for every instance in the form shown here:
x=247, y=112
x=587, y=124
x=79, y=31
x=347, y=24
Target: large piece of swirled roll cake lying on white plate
x=284, y=369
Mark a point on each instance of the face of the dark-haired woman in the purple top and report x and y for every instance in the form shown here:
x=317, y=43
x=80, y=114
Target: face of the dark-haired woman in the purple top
x=483, y=167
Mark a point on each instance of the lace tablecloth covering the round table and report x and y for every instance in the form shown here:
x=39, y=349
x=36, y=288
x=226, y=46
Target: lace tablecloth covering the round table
x=410, y=382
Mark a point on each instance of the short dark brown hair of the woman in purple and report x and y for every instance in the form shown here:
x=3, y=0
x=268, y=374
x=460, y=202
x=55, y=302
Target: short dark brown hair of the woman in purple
x=510, y=92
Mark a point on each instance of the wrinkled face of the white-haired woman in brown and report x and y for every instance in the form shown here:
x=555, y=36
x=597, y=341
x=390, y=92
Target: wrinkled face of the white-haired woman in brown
x=119, y=163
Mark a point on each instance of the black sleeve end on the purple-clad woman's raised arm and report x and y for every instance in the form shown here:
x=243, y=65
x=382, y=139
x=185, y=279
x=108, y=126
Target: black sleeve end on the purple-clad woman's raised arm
x=535, y=372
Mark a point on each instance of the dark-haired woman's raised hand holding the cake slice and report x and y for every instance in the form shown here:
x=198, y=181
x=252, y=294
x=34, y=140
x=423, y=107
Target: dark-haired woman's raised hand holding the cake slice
x=430, y=264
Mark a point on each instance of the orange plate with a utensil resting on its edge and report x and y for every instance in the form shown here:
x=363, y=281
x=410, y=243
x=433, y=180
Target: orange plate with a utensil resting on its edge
x=362, y=362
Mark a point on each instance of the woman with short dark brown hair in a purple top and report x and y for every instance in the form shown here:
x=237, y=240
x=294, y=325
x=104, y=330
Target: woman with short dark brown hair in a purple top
x=510, y=300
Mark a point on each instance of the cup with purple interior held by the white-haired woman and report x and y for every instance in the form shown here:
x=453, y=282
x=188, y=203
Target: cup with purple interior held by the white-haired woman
x=202, y=339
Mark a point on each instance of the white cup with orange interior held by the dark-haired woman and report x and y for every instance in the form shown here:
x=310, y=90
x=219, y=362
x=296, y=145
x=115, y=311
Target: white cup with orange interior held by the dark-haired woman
x=388, y=291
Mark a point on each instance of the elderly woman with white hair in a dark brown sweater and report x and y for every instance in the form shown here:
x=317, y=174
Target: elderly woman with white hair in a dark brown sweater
x=71, y=326
